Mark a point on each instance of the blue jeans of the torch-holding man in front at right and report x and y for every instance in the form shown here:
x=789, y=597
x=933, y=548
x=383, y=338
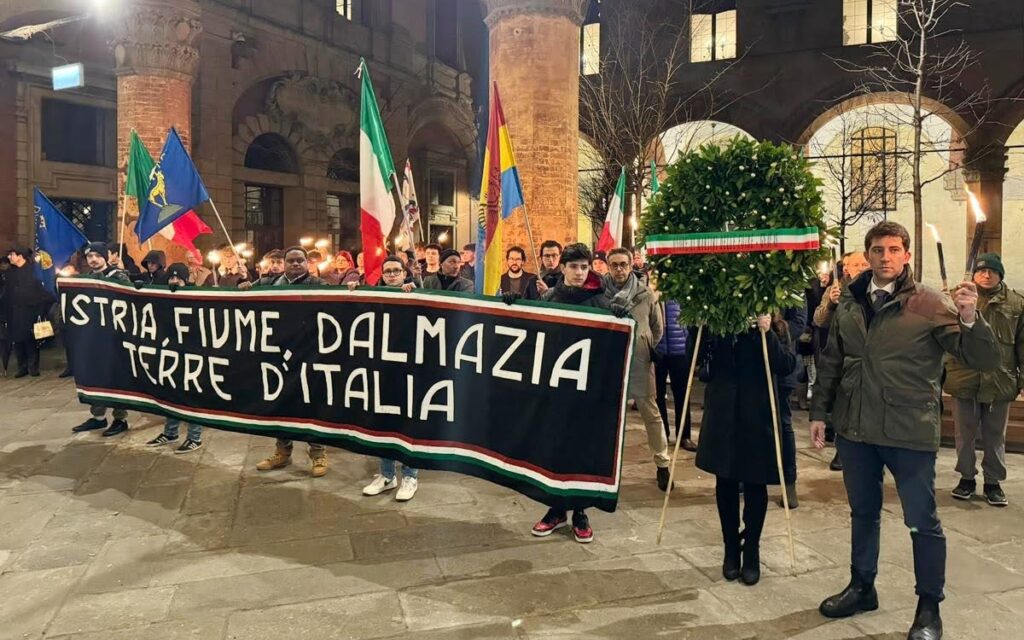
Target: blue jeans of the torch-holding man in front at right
x=914, y=473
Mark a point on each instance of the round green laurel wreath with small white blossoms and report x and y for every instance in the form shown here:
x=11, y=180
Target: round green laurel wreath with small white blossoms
x=739, y=187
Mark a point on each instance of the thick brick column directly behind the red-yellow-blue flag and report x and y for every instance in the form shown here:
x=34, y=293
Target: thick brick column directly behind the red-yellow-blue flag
x=535, y=60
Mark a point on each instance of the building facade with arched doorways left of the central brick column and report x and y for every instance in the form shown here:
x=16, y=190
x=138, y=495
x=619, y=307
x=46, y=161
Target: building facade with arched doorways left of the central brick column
x=263, y=92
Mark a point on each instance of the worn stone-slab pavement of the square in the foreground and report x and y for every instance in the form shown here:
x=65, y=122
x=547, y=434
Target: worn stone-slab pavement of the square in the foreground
x=111, y=540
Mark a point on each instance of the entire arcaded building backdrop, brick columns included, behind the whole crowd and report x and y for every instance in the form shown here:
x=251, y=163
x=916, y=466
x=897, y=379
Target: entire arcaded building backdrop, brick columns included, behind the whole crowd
x=264, y=93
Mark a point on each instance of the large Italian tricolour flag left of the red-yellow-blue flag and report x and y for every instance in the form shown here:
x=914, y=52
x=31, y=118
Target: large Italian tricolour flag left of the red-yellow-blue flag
x=376, y=174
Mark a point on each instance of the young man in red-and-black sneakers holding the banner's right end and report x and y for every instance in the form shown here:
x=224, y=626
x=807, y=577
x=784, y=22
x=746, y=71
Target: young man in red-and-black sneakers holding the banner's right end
x=581, y=287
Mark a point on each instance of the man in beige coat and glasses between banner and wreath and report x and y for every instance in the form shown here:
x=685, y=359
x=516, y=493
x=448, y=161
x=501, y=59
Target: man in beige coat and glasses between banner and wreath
x=626, y=294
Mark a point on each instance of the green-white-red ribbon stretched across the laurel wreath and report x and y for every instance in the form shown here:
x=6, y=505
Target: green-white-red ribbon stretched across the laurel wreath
x=735, y=242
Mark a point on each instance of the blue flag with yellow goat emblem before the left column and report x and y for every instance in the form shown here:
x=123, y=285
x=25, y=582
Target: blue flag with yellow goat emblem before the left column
x=176, y=189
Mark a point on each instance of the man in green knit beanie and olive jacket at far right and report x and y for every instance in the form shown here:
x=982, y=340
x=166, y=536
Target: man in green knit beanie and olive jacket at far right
x=982, y=400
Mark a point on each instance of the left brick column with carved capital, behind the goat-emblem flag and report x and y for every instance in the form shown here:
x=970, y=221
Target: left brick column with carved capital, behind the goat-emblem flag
x=156, y=63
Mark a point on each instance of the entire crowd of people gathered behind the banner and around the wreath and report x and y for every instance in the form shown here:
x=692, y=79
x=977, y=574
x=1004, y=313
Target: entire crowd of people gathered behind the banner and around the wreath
x=867, y=356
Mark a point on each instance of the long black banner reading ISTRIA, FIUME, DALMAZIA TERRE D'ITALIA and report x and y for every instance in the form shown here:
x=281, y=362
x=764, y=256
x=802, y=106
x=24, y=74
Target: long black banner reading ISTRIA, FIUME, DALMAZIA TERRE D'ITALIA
x=531, y=397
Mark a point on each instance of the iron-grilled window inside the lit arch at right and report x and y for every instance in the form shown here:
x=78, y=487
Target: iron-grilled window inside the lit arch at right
x=873, y=170
